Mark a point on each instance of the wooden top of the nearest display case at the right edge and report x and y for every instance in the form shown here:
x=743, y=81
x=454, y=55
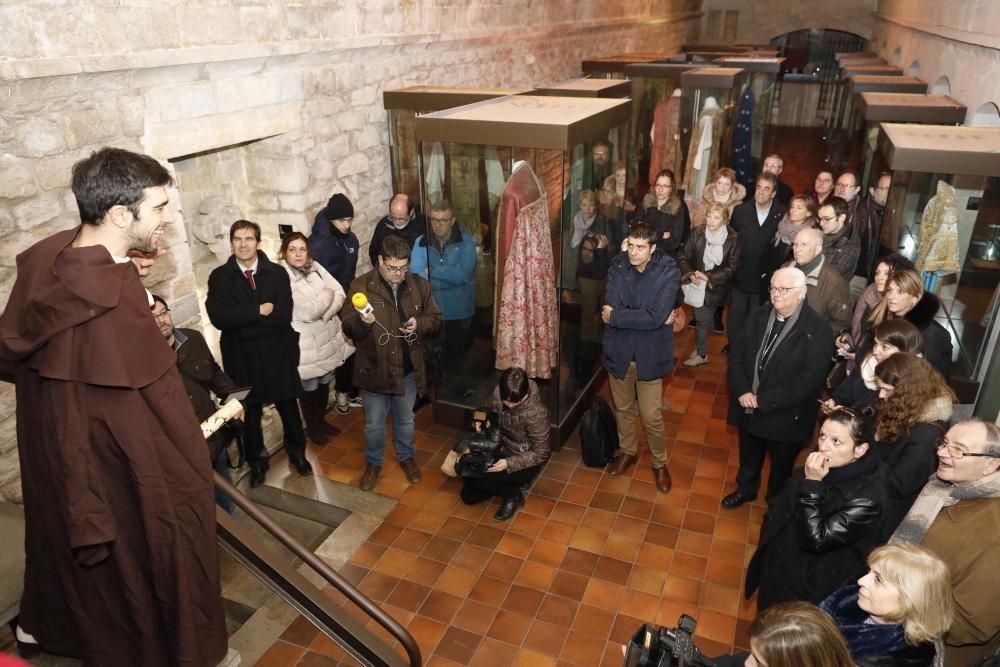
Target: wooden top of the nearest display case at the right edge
x=941, y=149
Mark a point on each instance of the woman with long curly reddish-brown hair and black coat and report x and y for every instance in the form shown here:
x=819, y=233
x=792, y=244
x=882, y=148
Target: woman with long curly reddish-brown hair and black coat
x=910, y=417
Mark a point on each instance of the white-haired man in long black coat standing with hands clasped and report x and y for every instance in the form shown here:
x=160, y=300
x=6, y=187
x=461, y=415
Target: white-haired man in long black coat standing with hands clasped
x=776, y=370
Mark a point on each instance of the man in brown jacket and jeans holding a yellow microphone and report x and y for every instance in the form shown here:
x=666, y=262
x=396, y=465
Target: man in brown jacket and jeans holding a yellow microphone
x=389, y=368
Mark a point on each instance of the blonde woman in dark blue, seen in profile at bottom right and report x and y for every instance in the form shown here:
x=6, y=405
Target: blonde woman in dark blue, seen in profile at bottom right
x=896, y=614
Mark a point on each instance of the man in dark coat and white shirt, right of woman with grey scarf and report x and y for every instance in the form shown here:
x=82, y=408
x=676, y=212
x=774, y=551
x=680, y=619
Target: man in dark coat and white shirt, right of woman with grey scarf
x=756, y=223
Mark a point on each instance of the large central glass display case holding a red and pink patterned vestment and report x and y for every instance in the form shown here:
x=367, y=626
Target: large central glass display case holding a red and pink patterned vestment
x=542, y=249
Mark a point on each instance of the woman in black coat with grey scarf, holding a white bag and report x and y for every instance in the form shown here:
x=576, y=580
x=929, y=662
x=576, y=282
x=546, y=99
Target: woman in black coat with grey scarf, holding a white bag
x=713, y=245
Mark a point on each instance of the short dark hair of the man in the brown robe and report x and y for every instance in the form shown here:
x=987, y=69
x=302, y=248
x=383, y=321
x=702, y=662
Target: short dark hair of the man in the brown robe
x=114, y=177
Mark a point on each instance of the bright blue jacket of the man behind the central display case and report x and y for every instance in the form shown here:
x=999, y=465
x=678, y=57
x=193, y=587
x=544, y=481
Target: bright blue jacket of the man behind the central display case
x=452, y=272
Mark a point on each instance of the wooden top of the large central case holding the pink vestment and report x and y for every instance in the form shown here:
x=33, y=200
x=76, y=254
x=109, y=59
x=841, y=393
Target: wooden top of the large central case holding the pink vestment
x=526, y=121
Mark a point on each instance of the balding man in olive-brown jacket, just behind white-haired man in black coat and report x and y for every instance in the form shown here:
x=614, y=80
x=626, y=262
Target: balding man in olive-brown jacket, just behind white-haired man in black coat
x=826, y=290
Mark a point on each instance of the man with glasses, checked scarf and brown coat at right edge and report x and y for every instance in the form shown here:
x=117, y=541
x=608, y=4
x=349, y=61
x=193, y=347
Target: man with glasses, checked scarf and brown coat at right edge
x=957, y=516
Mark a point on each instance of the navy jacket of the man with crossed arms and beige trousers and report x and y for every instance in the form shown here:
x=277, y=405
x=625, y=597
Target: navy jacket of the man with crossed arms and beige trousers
x=642, y=302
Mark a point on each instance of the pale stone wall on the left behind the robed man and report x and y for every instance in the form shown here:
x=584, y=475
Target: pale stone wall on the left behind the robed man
x=280, y=99
